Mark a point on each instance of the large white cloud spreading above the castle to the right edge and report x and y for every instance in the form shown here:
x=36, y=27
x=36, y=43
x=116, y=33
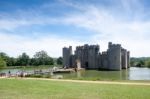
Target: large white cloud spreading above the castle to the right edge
x=132, y=34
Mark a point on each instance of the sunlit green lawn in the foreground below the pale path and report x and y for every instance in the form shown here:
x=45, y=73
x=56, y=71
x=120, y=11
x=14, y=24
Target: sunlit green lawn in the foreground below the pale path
x=43, y=89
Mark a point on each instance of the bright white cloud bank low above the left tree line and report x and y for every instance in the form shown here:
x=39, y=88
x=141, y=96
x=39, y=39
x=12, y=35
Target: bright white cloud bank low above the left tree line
x=15, y=45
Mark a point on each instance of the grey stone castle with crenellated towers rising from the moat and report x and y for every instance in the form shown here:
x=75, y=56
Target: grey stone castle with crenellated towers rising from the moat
x=89, y=57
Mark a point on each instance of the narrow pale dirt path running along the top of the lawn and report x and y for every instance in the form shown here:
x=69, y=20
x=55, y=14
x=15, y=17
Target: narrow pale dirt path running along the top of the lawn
x=82, y=81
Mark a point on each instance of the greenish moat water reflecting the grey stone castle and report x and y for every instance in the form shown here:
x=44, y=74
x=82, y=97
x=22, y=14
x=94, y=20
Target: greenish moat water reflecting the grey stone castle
x=133, y=73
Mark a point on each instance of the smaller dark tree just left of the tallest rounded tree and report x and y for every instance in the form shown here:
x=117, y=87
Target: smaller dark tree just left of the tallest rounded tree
x=23, y=60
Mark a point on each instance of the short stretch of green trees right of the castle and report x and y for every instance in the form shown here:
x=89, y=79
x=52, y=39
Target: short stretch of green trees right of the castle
x=140, y=62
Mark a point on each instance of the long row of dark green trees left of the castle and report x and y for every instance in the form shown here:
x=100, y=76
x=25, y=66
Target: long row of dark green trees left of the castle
x=39, y=58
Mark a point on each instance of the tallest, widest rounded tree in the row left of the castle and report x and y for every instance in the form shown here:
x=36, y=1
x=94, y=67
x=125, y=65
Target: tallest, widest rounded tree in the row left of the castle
x=42, y=58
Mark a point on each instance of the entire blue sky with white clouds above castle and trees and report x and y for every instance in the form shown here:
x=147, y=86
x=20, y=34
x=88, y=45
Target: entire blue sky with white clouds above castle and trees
x=33, y=25
